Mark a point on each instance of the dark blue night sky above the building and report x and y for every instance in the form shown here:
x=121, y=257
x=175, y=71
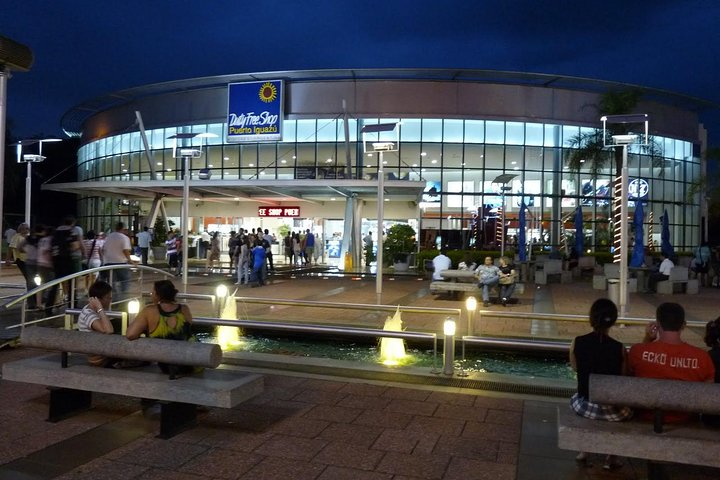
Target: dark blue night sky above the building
x=87, y=48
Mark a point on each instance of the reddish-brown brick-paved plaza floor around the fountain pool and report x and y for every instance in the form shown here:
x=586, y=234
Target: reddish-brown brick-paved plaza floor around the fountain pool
x=315, y=426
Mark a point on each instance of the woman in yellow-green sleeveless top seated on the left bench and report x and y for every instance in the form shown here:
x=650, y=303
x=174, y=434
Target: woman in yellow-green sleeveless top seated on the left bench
x=164, y=318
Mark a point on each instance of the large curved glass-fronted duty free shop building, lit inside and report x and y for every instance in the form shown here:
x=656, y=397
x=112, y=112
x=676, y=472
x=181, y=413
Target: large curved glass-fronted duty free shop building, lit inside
x=466, y=154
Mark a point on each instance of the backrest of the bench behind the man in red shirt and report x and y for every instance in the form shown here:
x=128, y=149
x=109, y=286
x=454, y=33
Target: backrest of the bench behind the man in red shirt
x=650, y=393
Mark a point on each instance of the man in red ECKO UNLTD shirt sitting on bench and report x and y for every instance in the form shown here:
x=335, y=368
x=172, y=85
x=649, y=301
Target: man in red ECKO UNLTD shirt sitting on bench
x=664, y=355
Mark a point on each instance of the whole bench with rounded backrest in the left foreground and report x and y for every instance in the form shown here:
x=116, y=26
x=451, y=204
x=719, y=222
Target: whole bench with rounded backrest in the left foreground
x=72, y=379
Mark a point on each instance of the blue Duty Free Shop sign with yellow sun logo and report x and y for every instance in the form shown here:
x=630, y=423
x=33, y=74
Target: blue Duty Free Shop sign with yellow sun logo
x=255, y=111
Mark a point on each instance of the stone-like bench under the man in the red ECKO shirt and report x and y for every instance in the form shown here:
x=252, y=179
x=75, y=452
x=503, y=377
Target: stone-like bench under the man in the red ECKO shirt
x=690, y=443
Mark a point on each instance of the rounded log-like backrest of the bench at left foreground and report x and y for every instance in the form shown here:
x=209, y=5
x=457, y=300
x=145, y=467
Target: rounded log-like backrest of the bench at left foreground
x=117, y=346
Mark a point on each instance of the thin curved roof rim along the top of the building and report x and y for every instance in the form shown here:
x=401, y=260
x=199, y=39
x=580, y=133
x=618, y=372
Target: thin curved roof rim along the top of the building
x=73, y=120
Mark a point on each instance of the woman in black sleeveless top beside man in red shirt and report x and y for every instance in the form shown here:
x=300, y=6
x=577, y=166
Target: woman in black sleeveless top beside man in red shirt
x=597, y=352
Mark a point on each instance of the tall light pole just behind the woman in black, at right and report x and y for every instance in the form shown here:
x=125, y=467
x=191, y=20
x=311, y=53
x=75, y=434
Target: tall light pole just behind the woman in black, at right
x=624, y=140
